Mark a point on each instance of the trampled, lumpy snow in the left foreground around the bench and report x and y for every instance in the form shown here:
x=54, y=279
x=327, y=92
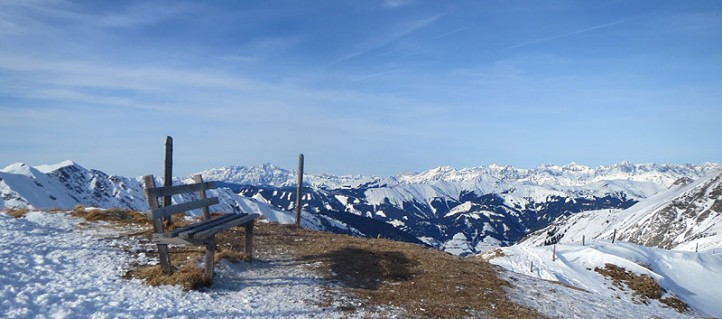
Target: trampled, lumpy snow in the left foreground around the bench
x=52, y=269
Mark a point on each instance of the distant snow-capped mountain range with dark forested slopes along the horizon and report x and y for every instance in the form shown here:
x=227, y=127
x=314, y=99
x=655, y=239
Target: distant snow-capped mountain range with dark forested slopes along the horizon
x=461, y=211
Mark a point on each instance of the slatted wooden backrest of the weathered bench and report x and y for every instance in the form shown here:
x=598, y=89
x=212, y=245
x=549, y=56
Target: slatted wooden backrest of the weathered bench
x=157, y=213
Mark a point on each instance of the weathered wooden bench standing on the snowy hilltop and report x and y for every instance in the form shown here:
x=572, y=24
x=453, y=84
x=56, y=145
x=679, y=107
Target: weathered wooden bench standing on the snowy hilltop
x=201, y=233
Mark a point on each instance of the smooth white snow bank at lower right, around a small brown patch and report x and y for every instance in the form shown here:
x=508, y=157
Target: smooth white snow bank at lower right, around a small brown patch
x=686, y=275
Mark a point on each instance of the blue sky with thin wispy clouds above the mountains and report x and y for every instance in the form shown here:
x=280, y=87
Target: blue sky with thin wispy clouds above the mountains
x=360, y=87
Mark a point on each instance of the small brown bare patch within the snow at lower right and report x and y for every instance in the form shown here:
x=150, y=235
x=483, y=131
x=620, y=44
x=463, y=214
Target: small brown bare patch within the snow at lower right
x=645, y=287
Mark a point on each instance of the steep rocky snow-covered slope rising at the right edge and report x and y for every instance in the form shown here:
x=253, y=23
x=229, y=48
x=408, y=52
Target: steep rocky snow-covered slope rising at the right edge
x=687, y=216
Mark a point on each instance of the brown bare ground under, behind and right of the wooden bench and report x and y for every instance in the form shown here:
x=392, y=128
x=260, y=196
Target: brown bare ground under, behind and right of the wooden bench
x=378, y=273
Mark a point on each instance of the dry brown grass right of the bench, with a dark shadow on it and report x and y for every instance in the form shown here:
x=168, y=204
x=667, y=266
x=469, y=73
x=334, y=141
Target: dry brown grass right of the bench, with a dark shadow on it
x=426, y=283
